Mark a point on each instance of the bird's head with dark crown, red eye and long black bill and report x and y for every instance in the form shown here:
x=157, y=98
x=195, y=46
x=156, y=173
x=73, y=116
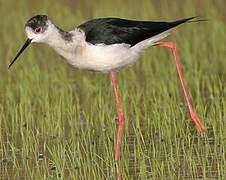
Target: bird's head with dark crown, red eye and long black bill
x=37, y=29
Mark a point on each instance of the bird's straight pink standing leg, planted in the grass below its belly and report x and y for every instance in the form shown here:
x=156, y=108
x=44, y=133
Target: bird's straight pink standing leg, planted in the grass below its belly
x=120, y=121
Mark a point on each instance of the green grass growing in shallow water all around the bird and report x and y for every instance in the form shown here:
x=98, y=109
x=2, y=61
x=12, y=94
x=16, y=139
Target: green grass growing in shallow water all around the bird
x=59, y=123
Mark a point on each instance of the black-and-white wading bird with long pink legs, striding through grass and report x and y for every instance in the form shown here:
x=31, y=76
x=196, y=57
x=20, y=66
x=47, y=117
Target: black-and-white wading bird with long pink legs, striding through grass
x=107, y=45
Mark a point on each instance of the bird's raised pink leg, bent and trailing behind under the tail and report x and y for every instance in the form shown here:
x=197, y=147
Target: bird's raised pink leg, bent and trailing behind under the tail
x=194, y=116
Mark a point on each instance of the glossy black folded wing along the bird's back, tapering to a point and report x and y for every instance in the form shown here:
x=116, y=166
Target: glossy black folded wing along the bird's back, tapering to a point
x=115, y=30
